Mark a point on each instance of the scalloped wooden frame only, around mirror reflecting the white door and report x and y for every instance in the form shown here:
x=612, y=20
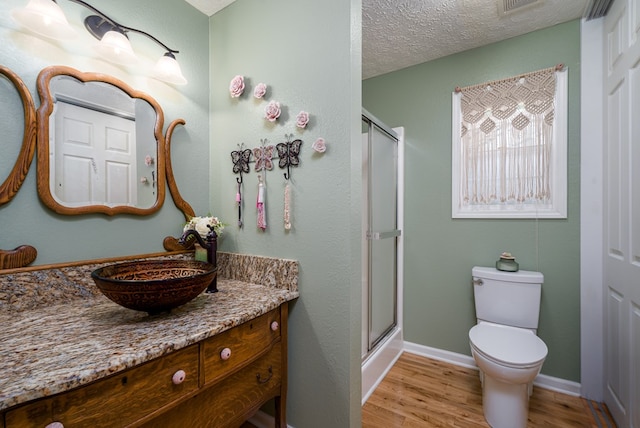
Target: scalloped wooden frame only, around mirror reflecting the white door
x=43, y=168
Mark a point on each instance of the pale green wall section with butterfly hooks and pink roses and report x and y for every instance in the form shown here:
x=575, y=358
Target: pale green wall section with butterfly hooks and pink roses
x=304, y=52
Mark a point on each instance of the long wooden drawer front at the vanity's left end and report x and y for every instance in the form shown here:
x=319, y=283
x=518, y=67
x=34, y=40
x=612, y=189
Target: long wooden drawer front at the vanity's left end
x=118, y=400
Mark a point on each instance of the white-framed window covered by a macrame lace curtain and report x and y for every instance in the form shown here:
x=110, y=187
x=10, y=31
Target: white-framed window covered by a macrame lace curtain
x=509, y=148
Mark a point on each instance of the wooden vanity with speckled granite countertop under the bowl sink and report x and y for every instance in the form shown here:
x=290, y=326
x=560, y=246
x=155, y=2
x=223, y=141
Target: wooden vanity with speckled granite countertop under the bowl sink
x=220, y=358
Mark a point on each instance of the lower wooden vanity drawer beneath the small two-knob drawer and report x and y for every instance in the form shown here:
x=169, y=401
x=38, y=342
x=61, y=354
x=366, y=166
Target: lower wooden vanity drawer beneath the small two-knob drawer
x=231, y=401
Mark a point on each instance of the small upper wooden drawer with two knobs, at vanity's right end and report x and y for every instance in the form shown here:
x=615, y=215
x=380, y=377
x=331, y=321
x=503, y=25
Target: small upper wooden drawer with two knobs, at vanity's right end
x=235, y=348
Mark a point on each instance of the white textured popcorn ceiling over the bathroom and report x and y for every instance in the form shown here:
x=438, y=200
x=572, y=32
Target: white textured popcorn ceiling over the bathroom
x=400, y=33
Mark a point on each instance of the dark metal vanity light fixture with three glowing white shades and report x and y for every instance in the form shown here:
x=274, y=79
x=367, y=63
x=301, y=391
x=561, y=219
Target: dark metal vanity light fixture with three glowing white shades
x=46, y=18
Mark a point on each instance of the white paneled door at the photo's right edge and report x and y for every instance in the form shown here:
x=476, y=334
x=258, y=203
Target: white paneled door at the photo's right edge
x=622, y=212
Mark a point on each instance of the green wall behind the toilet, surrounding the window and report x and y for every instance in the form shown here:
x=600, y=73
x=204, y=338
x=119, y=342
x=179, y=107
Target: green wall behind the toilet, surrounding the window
x=440, y=251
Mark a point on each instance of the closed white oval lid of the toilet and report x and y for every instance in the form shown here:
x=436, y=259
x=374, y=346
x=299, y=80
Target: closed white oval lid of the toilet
x=509, y=345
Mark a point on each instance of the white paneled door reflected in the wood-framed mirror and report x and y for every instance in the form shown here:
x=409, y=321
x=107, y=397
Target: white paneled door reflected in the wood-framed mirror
x=95, y=156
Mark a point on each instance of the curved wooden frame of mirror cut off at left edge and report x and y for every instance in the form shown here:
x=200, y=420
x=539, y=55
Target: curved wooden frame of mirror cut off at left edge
x=16, y=177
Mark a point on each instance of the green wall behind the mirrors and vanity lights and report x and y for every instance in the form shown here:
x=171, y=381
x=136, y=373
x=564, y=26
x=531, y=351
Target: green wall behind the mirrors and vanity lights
x=62, y=238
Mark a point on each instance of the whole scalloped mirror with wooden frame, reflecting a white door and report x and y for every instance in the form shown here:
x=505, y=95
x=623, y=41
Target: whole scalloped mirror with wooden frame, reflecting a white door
x=100, y=145
